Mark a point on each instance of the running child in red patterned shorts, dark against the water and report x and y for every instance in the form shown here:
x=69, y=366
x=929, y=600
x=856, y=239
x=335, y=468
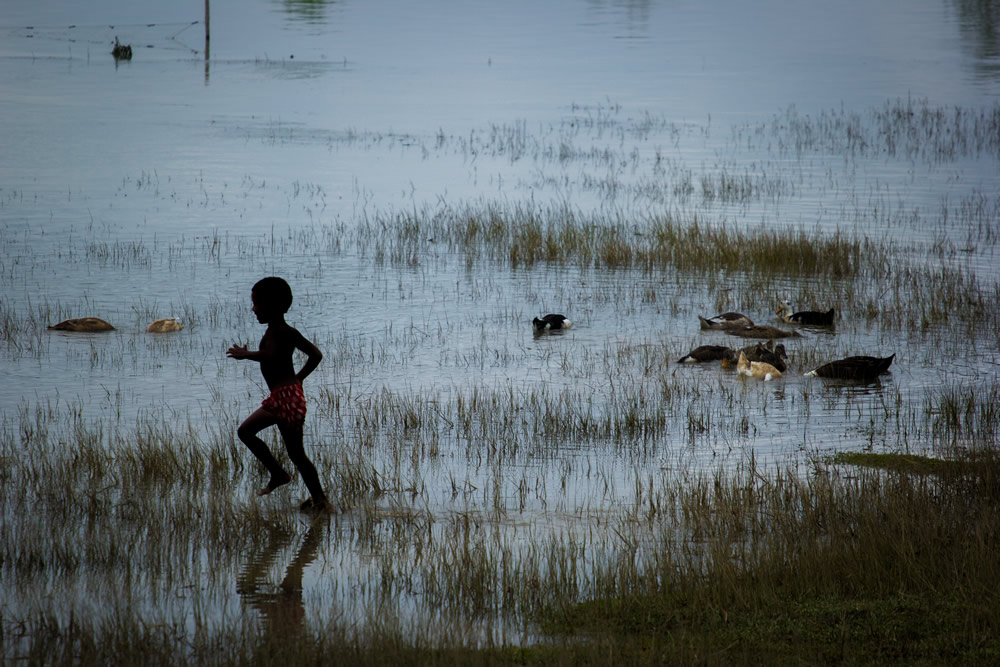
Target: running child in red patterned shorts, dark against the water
x=286, y=406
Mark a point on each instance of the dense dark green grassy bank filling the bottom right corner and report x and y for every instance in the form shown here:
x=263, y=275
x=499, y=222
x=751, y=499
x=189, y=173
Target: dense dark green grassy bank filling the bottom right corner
x=841, y=567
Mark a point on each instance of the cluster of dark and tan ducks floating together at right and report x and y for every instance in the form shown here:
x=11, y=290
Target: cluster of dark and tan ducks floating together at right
x=768, y=361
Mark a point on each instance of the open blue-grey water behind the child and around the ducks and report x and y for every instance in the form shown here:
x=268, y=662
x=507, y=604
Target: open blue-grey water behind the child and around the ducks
x=167, y=185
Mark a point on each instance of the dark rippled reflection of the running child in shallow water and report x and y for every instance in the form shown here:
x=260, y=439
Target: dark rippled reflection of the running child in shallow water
x=281, y=607
